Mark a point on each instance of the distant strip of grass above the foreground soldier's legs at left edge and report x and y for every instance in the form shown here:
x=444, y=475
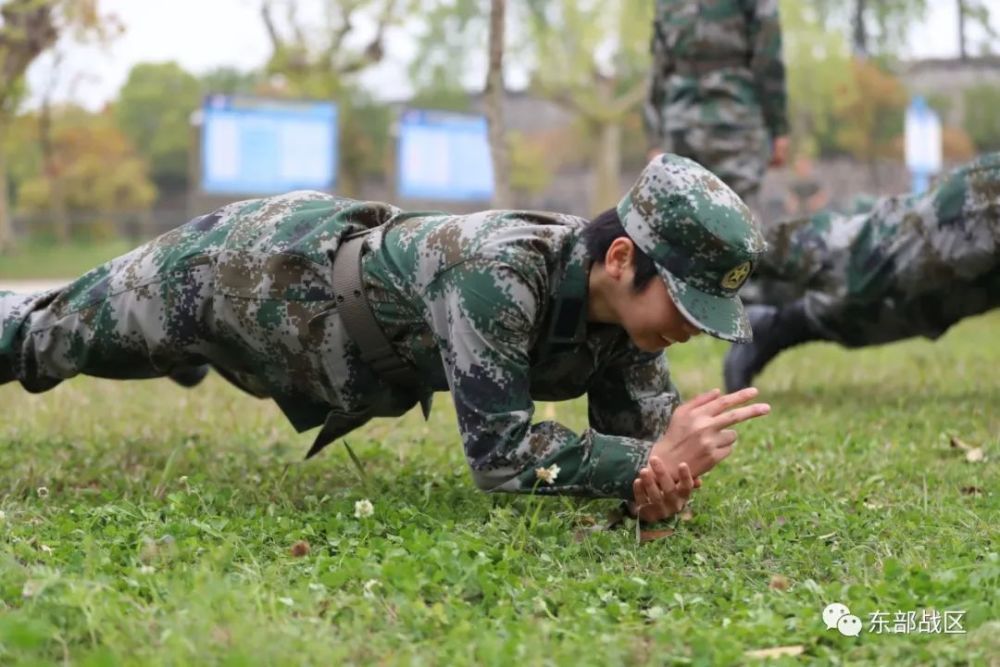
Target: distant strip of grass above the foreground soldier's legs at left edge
x=52, y=261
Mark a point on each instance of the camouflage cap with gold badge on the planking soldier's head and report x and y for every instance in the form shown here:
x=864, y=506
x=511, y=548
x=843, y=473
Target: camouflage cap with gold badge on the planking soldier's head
x=701, y=236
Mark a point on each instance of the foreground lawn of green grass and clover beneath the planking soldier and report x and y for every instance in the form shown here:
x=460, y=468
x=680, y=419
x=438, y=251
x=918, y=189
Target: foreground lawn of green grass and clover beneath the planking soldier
x=166, y=534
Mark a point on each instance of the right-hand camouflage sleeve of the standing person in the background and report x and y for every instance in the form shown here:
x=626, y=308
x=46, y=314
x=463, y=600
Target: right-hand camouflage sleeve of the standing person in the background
x=767, y=65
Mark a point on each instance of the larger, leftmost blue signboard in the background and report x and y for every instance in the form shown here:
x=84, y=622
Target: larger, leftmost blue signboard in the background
x=259, y=146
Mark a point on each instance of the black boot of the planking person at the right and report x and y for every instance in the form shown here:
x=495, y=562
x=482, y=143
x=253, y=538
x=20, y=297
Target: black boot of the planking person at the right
x=775, y=328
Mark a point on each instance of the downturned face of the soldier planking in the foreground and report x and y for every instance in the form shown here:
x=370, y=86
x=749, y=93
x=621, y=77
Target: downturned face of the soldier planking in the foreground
x=652, y=320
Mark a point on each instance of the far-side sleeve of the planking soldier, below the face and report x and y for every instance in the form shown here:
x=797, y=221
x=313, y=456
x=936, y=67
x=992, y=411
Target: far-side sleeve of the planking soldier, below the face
x=633, y=395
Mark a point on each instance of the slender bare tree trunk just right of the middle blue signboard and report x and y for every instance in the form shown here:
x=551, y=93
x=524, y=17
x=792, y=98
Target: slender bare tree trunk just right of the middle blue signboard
x=494, y=107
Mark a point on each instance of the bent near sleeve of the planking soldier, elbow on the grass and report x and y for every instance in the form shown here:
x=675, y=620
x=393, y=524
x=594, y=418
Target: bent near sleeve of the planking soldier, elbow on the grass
x=483, y=314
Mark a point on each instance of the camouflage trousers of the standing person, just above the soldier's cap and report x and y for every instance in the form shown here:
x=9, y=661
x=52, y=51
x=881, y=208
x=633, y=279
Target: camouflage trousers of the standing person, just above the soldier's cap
x=737, y=155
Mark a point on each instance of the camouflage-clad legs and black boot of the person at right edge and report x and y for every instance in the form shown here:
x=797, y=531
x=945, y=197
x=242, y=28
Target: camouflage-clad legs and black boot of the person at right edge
x=913, y=265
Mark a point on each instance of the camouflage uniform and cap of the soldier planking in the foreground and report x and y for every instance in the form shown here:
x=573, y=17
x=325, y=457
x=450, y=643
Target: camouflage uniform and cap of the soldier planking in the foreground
x=490, y=306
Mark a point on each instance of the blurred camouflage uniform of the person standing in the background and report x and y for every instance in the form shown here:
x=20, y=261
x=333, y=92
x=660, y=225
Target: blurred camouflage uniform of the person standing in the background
x=718, y=86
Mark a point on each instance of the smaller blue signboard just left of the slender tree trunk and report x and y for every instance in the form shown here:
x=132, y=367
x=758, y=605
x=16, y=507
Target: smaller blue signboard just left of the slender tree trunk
x=444, y=156
